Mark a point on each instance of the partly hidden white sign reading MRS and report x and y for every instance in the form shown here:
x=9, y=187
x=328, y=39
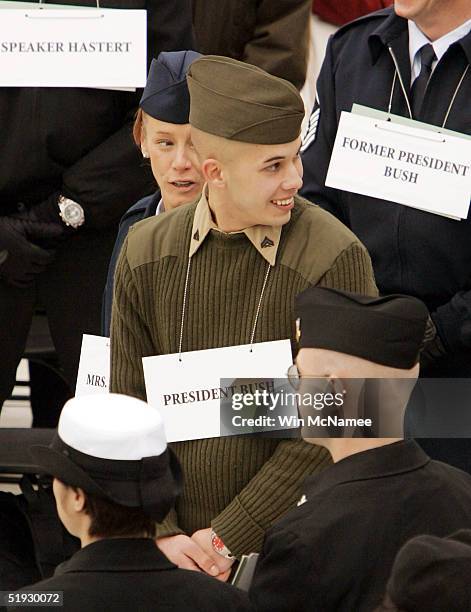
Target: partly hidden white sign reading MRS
x=94, y=367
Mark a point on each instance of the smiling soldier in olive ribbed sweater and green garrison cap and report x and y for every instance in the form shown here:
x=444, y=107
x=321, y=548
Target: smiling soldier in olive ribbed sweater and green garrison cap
x=253, y=245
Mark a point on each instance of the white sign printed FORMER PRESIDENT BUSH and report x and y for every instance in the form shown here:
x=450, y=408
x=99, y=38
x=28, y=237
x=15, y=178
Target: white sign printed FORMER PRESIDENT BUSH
x=405, y=164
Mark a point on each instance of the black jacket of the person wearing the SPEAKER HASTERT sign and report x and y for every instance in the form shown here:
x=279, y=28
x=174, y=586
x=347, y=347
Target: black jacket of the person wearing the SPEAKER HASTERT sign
x=78, y=141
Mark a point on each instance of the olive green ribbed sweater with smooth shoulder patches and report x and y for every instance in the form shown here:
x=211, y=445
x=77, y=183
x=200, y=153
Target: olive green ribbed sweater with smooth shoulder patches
x=239, y=485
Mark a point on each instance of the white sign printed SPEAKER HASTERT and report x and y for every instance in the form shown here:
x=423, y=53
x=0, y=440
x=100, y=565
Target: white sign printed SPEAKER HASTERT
x=75, y=47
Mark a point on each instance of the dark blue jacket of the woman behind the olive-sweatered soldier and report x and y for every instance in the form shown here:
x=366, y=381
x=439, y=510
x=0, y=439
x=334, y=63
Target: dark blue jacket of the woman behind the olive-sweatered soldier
x=140, y=210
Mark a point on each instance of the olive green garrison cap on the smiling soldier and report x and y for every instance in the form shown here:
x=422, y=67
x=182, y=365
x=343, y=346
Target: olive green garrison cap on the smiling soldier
x=241, y=102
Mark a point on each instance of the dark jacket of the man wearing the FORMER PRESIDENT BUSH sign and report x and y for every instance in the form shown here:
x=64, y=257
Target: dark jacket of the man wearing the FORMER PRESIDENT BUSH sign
x=413, y=252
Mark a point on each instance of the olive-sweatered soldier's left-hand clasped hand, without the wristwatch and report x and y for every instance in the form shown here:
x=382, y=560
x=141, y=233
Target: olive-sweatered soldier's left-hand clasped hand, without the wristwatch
x=186, y=553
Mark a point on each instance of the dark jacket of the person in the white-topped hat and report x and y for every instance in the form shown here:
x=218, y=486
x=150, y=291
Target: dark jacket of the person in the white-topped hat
x=124, y=574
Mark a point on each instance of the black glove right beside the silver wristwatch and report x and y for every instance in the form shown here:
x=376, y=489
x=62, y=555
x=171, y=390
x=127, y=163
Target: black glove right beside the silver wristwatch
x=42, y=222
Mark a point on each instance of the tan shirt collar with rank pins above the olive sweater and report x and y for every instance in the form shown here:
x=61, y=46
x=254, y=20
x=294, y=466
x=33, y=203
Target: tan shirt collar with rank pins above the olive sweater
x=264, y=238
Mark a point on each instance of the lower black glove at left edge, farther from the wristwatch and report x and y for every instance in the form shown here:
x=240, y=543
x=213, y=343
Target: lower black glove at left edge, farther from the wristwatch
x=20, y=260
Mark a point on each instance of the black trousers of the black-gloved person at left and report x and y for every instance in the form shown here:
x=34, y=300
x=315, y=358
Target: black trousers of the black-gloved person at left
x=70, y=291
